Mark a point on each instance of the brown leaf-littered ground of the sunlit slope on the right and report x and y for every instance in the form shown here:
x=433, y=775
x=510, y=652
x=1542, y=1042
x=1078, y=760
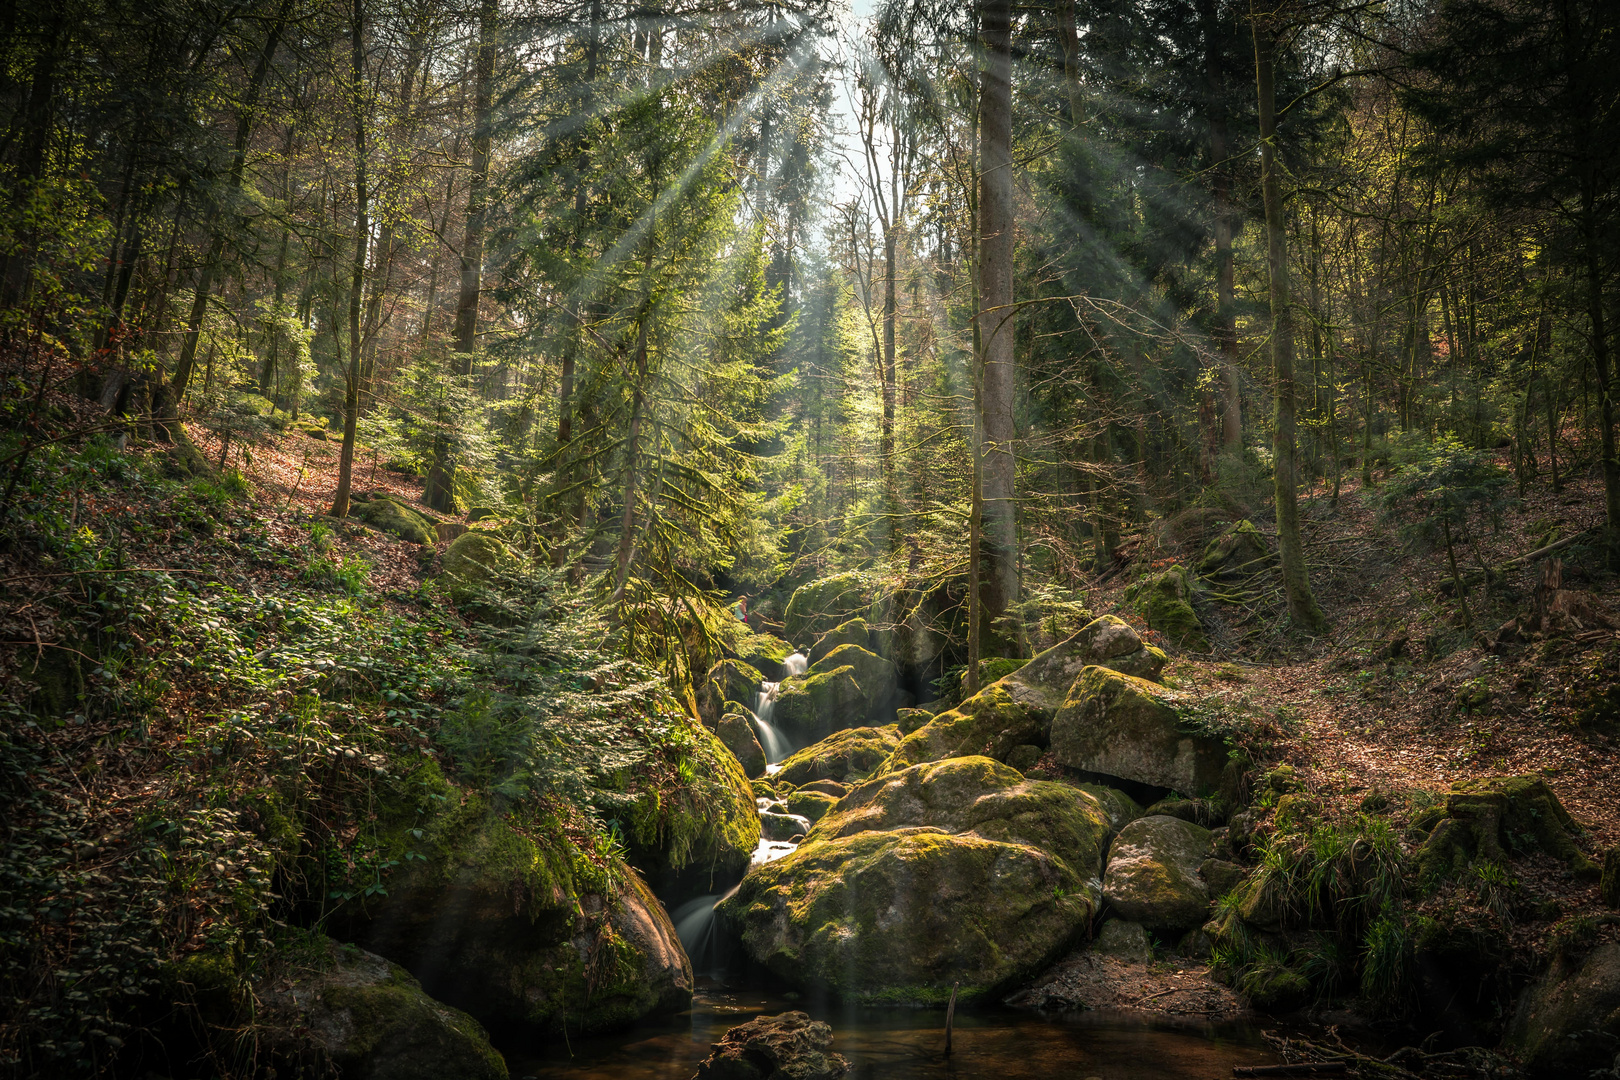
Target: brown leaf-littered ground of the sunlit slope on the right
x=1400, y=700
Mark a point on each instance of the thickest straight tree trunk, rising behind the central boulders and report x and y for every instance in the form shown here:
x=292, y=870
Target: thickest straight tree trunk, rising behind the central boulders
x=995, y=315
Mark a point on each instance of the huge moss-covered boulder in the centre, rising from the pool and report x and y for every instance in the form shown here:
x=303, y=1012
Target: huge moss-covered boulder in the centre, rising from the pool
x=955, y=872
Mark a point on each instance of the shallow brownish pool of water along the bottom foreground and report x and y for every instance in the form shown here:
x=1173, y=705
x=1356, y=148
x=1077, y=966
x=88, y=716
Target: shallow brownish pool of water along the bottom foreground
x=908, y=1045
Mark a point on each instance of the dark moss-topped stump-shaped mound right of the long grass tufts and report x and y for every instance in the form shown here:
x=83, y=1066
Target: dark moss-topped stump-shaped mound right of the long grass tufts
x=1498, y=819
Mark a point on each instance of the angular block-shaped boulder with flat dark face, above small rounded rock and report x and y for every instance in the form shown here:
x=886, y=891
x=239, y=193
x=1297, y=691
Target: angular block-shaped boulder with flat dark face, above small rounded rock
x=1133, y=729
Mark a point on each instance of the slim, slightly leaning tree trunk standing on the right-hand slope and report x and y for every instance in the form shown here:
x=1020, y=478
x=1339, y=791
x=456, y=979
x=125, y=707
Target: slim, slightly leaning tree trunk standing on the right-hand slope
x=1297, y=579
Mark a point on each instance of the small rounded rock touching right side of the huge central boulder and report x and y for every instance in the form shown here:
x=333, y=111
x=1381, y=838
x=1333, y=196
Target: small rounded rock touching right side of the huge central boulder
x=1154, y=874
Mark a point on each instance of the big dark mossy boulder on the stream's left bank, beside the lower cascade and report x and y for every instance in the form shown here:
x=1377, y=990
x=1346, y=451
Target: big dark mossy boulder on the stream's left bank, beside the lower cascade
x=500, y=916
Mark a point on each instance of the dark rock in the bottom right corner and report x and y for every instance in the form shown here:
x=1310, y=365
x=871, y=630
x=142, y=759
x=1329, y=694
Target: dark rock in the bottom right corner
x=1569, y=1024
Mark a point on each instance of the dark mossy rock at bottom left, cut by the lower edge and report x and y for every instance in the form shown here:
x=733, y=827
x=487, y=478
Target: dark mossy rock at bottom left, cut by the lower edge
x=372, y=1019
